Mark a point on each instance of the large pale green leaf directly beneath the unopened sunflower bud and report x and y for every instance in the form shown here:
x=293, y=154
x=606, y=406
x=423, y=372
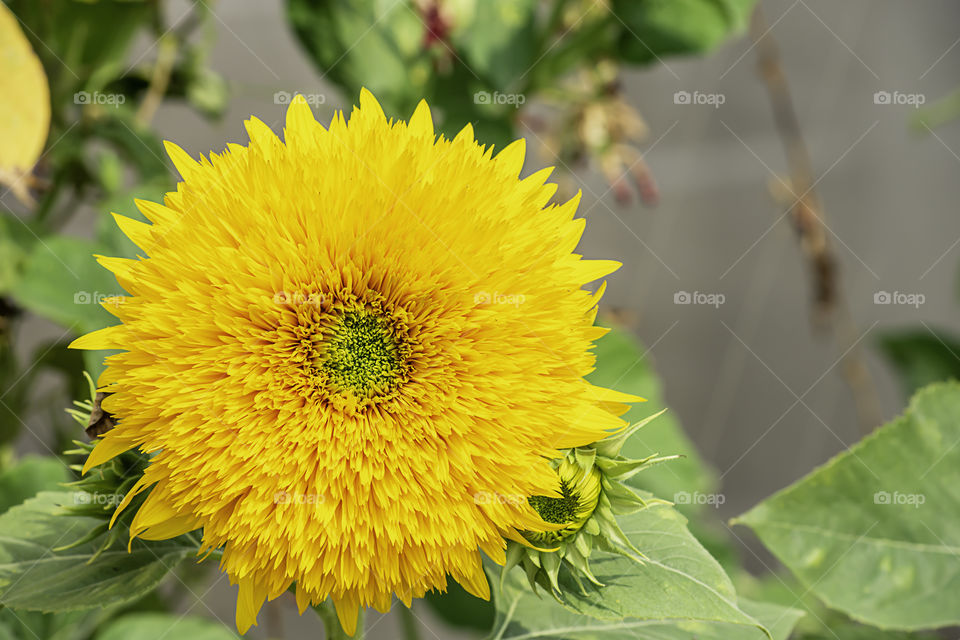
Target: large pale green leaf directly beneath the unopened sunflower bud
x=678, y=581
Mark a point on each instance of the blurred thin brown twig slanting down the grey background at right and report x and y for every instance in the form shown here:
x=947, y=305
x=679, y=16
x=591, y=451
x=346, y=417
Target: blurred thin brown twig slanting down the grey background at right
x=830, y=306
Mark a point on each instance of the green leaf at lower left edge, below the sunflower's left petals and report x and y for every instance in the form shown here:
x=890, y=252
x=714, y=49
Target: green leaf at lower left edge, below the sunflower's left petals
x=34, y=577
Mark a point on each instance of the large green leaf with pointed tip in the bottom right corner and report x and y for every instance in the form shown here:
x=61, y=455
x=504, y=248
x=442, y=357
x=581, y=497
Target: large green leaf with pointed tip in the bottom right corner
x=875, y=533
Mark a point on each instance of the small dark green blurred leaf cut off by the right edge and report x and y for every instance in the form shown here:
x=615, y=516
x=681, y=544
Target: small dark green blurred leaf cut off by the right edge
x=922, y=357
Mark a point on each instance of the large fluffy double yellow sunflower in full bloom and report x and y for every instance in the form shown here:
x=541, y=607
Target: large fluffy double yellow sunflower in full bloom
x=351, y=355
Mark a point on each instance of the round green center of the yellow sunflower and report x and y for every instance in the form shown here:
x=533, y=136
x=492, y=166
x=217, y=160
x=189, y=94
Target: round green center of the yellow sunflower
x=362, y=354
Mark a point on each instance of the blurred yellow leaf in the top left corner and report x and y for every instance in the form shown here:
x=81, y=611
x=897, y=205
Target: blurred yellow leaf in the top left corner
x=24, y=99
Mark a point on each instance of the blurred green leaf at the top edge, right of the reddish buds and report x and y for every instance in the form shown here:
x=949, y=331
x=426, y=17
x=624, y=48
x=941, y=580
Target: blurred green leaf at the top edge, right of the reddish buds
x=658, y=28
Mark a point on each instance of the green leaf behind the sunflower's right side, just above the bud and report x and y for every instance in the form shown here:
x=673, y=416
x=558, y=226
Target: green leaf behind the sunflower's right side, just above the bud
x=621, y=365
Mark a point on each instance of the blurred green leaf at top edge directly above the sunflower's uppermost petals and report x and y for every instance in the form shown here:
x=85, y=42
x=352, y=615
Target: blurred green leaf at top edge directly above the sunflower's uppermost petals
x=377, y=44
